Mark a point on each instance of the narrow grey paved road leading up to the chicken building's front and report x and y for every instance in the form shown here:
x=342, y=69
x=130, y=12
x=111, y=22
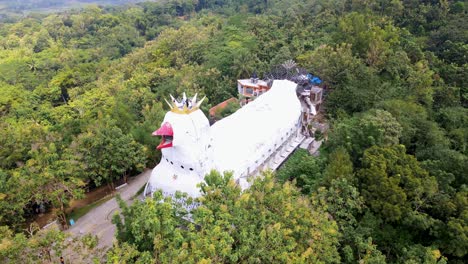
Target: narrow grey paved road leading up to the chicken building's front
x=98, y=220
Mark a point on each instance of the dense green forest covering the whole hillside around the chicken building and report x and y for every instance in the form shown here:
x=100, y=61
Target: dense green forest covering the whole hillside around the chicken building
x=81, y=92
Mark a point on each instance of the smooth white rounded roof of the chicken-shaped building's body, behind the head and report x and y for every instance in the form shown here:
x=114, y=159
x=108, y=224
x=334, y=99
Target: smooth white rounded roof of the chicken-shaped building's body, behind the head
x=249, y=134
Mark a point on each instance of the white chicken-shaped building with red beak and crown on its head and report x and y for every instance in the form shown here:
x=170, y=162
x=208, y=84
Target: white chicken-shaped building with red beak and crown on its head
x=256, y=137
